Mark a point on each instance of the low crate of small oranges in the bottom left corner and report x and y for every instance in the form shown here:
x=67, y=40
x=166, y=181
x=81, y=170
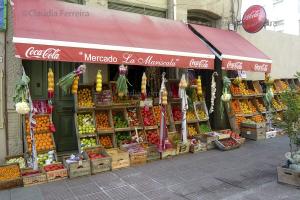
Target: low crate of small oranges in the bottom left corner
x=10, y=176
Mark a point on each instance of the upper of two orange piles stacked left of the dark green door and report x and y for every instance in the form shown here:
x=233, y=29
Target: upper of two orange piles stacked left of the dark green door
x=42, y=124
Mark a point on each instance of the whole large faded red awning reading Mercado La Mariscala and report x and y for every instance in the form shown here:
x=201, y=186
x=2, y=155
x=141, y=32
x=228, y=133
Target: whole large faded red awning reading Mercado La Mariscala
x=59, y=31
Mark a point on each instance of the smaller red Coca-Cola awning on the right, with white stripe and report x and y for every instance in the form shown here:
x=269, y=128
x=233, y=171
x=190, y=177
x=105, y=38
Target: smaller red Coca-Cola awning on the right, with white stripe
x=235, y=51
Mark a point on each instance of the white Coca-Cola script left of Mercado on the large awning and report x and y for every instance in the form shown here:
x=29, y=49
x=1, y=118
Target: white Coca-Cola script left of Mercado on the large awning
x=49, y=54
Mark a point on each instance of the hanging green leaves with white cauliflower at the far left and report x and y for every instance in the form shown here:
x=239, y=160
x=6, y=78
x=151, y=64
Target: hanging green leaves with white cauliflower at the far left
x=20, y=98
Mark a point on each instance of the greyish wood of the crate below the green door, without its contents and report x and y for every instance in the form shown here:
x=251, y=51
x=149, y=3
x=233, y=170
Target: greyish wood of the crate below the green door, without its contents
x=81, y=168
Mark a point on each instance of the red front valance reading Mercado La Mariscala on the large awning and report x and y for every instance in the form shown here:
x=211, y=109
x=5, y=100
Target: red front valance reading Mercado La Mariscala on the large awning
x=102, y=56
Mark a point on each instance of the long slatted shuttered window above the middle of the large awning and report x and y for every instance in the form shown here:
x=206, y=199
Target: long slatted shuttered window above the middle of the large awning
x=138, y=9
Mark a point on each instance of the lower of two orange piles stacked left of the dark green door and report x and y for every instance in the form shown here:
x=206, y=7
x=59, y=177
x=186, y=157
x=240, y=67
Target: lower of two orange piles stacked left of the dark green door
x=43, y=142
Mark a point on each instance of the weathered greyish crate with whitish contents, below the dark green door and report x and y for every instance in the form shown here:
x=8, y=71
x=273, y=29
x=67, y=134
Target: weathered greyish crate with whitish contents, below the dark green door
x=78, y=165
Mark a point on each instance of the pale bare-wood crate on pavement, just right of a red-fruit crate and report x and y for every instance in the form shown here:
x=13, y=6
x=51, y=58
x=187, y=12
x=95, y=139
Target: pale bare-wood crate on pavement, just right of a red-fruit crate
x=120, y=159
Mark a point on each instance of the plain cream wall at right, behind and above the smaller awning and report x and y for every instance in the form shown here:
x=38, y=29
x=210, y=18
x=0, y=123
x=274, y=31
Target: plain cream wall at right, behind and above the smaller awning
x=282, y=48
